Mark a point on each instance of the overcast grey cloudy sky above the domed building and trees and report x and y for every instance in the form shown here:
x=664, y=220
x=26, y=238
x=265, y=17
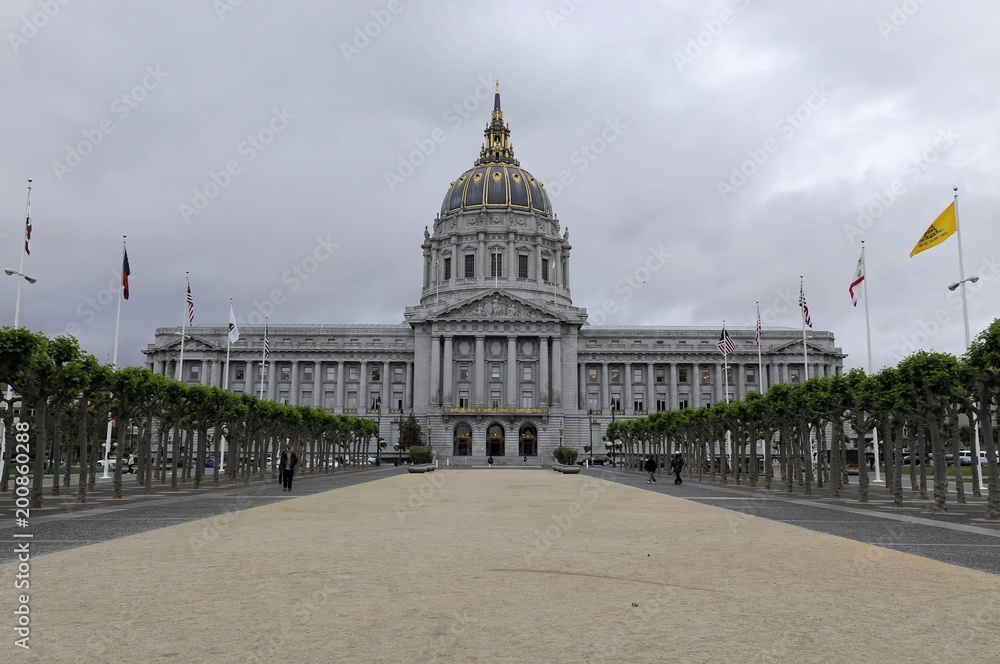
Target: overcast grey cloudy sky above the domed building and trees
x=290, y=154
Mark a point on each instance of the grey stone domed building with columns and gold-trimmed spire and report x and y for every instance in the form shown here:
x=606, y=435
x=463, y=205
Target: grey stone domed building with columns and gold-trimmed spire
x=495, y=359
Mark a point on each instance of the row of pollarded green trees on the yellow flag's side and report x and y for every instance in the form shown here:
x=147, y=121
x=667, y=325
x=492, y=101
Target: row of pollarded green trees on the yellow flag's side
x=924, y=403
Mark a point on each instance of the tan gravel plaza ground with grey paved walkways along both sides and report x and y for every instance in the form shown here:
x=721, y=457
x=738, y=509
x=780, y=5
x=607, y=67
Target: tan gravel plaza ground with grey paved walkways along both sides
x=518, y=565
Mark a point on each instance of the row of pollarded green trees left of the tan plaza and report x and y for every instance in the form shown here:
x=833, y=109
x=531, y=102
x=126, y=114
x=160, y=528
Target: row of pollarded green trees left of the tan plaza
x=64, y=400
